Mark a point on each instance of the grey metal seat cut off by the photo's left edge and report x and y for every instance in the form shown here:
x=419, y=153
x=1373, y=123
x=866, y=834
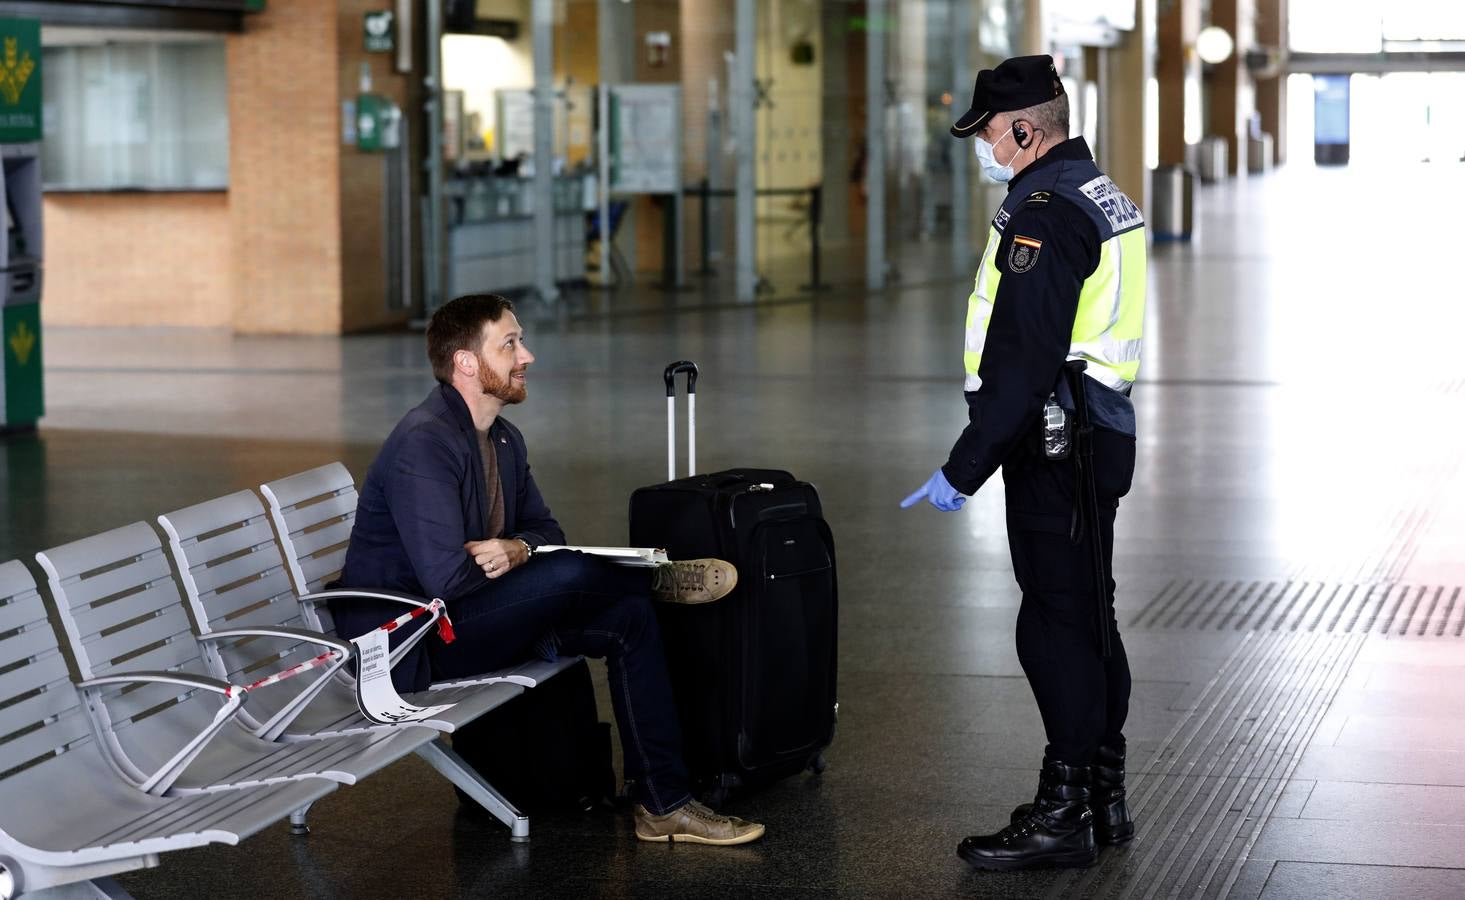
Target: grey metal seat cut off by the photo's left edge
x=67, y=814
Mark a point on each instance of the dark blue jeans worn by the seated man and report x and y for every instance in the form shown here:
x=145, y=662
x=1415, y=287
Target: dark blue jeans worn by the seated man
x=594, y=609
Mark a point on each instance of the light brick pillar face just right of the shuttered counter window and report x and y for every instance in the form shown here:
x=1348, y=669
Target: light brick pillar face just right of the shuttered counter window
x=285, y=171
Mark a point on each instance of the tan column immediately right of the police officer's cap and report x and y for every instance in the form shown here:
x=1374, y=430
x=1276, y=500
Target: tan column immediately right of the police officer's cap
x=1124, y=73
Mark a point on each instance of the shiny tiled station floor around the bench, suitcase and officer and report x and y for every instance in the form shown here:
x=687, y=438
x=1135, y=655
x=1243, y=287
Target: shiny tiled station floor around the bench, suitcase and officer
x=1290, y=564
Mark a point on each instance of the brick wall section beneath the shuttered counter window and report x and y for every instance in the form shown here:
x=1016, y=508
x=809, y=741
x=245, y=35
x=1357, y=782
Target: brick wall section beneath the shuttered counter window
x=137, y=260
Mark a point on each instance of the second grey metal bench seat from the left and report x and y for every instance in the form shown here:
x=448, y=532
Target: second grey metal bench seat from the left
x=171, y=728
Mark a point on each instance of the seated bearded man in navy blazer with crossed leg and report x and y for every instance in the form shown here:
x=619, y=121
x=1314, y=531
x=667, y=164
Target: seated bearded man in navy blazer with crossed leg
x=452, y=511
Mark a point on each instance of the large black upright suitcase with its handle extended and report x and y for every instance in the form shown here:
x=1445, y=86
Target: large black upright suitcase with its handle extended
x=755, y=672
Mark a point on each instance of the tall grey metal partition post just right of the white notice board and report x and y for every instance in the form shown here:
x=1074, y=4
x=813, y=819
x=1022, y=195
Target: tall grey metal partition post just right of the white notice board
x=745, y=137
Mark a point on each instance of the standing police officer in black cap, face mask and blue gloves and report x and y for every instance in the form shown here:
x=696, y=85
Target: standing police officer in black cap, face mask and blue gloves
x=1053, y=351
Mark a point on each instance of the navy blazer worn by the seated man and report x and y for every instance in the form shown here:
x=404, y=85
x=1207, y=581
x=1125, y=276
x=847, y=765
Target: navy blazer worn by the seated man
x=423, y=501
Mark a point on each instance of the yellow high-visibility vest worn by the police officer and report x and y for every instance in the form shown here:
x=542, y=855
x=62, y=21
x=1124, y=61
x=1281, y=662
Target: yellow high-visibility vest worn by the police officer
x=1111, y=304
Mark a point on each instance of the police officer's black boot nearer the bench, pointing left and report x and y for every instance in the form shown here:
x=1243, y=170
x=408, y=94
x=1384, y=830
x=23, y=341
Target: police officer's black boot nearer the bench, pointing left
x=1057, y=832
